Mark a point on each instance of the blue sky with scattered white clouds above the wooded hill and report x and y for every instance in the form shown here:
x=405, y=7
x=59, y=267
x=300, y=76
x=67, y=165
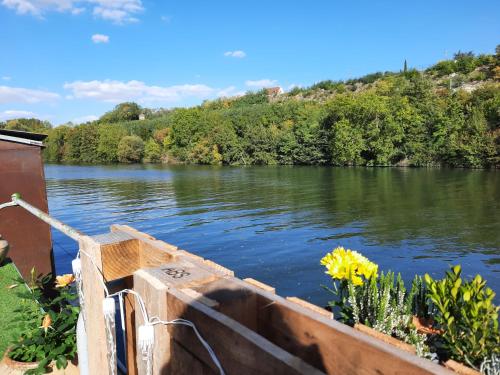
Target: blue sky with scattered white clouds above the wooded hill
x=72, y=60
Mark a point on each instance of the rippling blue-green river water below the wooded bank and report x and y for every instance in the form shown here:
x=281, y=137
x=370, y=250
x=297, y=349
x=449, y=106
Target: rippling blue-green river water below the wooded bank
x=275, y=223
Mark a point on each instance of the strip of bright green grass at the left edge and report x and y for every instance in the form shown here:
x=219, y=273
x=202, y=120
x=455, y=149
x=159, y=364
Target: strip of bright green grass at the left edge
x=9, y=301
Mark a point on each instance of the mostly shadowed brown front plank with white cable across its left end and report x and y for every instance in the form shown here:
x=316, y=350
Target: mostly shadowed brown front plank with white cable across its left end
x=240, y=350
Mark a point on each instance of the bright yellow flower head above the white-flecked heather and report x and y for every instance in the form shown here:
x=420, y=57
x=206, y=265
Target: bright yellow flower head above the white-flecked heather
x=350, y=265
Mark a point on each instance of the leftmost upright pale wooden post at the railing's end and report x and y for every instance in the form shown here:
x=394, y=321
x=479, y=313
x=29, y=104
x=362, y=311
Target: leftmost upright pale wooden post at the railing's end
x=94, y=296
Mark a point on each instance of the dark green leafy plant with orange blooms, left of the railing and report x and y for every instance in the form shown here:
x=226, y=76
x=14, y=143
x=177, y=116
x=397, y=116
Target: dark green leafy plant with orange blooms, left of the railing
x=47, y=322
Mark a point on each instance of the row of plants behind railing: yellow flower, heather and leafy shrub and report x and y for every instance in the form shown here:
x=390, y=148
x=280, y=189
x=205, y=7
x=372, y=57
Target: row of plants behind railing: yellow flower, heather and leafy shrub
x=452, y=320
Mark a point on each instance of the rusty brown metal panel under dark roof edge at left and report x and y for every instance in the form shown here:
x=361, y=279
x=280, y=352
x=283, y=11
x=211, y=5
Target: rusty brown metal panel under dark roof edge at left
x=21, y=171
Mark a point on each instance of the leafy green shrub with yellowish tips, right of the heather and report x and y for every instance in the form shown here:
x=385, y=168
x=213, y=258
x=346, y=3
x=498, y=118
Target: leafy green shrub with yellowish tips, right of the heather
x=467, y=315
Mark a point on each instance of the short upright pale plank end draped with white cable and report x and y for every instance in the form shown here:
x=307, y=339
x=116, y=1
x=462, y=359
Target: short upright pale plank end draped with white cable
x=153, y=293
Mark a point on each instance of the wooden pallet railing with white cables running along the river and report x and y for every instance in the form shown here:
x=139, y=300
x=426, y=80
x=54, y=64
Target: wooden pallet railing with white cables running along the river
x=250, y=328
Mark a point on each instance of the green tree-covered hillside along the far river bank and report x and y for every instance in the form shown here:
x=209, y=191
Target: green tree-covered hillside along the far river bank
x=415, y=118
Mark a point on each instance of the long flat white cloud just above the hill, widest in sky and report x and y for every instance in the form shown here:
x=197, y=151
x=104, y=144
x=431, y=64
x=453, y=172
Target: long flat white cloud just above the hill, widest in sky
x=119, y=91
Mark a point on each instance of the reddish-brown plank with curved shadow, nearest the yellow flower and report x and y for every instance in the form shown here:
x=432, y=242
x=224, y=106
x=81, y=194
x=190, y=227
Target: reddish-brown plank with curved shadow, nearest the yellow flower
x=334, y=347
